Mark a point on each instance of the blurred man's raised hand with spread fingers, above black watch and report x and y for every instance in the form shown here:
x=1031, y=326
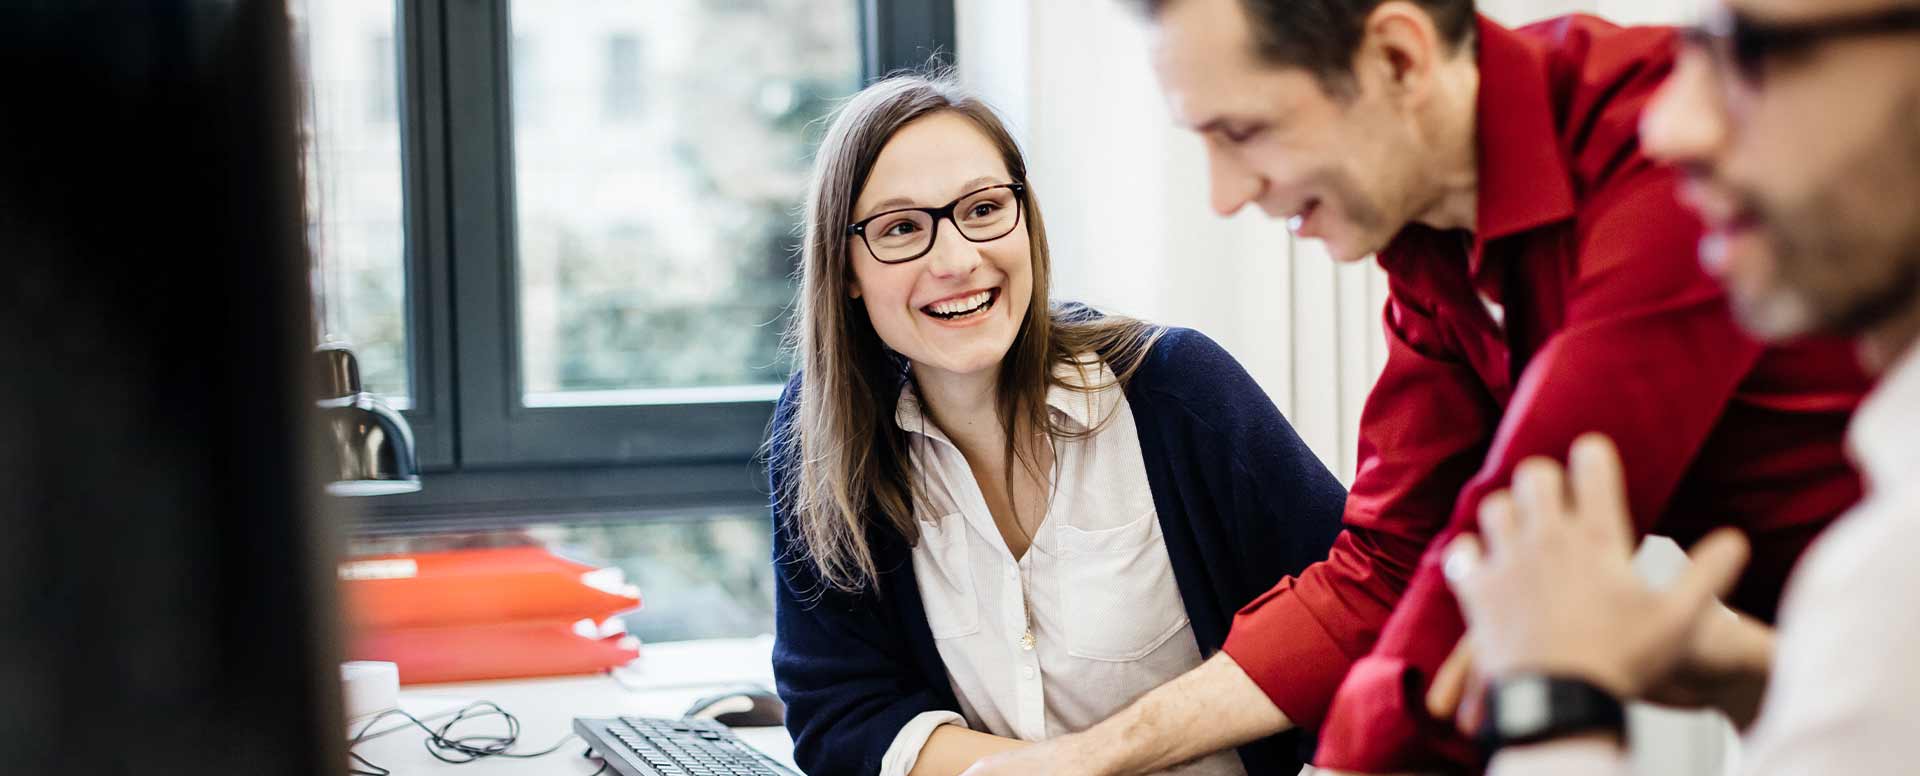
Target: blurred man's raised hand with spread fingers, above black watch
x=1556, y=591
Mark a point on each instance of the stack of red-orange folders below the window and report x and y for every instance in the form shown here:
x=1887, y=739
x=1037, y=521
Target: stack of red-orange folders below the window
x=487, y=614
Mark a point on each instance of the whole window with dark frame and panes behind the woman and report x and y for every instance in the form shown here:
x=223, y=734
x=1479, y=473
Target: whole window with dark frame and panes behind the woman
x=562, y=233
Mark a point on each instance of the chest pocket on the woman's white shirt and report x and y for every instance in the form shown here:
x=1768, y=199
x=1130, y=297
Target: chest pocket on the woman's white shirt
x=1118, y=591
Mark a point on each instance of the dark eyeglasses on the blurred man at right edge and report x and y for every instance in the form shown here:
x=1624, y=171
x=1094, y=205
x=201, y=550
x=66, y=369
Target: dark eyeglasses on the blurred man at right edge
x=1744, y=47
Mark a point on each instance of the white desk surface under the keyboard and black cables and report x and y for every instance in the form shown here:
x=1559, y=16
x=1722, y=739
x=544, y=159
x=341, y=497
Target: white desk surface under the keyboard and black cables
x=663, y=683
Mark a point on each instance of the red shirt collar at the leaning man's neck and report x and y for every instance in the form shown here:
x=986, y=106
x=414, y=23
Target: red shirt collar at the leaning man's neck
x=1524, y=176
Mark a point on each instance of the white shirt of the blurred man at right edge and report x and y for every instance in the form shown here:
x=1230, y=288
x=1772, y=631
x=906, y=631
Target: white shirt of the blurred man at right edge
x=1844, y=696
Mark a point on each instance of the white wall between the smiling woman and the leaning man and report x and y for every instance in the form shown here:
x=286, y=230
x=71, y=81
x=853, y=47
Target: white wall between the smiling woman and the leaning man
x=1128, y=216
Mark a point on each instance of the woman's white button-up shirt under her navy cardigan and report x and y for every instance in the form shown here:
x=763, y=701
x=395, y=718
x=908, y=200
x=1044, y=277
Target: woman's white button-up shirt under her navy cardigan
x=1107, y=616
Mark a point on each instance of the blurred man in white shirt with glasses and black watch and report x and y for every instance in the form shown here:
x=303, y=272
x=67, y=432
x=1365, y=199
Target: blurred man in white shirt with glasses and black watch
x=1796, y=128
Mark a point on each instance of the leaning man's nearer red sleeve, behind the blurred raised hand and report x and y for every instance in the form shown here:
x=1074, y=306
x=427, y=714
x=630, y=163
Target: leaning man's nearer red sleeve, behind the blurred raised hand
x=1648, y=354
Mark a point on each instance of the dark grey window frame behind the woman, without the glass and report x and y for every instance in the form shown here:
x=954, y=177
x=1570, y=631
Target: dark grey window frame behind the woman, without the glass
x=489, y=460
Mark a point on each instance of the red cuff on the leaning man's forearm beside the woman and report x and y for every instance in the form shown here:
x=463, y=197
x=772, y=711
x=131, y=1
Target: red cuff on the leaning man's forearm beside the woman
x=1289, y=654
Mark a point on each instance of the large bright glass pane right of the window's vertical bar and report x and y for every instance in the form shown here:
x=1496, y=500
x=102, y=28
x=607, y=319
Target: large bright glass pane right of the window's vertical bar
x=656, y=228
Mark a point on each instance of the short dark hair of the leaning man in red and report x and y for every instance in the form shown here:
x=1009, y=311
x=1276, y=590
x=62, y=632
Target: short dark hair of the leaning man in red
x=1324, y=36
